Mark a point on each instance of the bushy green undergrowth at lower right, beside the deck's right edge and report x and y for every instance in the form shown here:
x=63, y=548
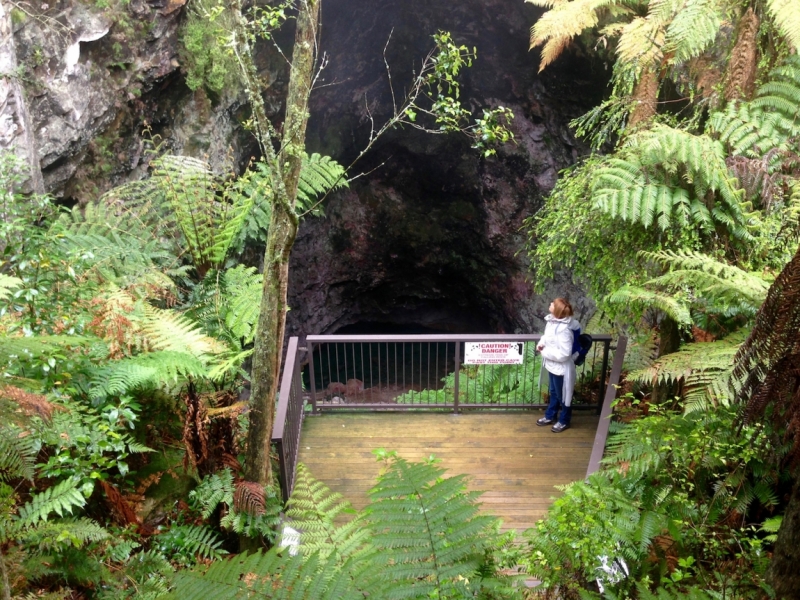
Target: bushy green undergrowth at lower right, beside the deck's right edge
x=674, y=492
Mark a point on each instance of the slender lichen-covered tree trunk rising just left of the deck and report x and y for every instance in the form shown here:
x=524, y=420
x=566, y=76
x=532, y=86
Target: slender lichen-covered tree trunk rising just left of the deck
x=282, y=233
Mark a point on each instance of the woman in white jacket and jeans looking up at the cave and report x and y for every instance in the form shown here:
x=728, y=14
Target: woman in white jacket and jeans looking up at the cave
x=559, y=362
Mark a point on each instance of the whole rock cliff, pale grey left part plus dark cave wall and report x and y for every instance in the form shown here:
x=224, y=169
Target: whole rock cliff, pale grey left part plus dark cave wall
x=430, y=235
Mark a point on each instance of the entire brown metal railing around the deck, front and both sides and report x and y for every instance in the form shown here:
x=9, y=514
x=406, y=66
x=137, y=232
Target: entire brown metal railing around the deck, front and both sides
x=420, y=372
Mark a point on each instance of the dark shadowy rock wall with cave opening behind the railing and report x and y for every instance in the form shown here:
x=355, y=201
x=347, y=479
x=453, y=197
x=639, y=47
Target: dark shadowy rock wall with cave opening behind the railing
x=432, y=235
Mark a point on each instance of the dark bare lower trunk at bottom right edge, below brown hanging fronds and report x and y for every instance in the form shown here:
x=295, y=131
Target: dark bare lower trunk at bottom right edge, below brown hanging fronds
x=783, y=574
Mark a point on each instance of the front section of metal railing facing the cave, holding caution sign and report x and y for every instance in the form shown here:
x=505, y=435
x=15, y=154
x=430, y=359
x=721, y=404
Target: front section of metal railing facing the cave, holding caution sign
x=428, y=371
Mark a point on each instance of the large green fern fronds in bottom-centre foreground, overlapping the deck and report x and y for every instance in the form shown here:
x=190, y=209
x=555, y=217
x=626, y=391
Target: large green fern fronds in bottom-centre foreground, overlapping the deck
x=420, y=537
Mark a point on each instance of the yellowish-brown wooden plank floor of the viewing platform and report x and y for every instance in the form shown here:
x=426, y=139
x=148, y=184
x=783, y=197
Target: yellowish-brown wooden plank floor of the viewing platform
x=515, y=463
